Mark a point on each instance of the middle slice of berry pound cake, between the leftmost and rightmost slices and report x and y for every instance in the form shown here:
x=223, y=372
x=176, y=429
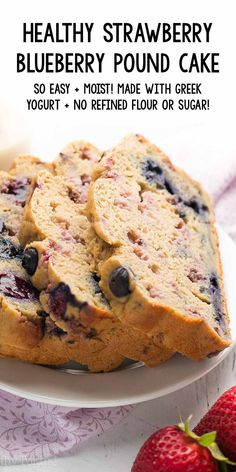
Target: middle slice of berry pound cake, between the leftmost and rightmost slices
x=62, y=256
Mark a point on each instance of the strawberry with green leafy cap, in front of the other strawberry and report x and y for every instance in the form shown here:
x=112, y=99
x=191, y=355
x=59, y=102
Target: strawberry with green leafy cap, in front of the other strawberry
x=178, y=449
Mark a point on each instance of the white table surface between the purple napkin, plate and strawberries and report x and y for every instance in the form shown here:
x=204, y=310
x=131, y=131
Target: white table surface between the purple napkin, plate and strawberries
x=115, y=449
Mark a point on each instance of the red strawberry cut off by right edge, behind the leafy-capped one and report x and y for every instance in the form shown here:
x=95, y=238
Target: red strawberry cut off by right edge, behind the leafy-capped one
x=222, y=419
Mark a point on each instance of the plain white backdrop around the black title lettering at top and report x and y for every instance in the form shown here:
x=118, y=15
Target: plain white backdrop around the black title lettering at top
x=49, y=130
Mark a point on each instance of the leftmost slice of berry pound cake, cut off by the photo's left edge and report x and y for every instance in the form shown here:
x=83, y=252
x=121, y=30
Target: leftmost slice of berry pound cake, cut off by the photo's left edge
x=26, y=331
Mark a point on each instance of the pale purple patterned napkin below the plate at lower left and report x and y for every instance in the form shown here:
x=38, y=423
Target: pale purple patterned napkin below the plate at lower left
x=32, y=431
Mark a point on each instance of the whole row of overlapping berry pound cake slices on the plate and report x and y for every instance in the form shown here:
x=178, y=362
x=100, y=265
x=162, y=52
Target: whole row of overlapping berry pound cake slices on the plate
x=107, y=256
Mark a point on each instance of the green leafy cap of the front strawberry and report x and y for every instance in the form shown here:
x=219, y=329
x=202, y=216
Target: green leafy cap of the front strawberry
x=207, y=440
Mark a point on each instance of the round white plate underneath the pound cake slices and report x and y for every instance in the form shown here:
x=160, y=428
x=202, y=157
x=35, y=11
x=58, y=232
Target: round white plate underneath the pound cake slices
x=122, y=387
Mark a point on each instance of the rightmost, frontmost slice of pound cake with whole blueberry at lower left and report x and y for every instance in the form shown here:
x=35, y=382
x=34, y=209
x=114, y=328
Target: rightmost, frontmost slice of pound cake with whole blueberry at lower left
x=162, y=272
